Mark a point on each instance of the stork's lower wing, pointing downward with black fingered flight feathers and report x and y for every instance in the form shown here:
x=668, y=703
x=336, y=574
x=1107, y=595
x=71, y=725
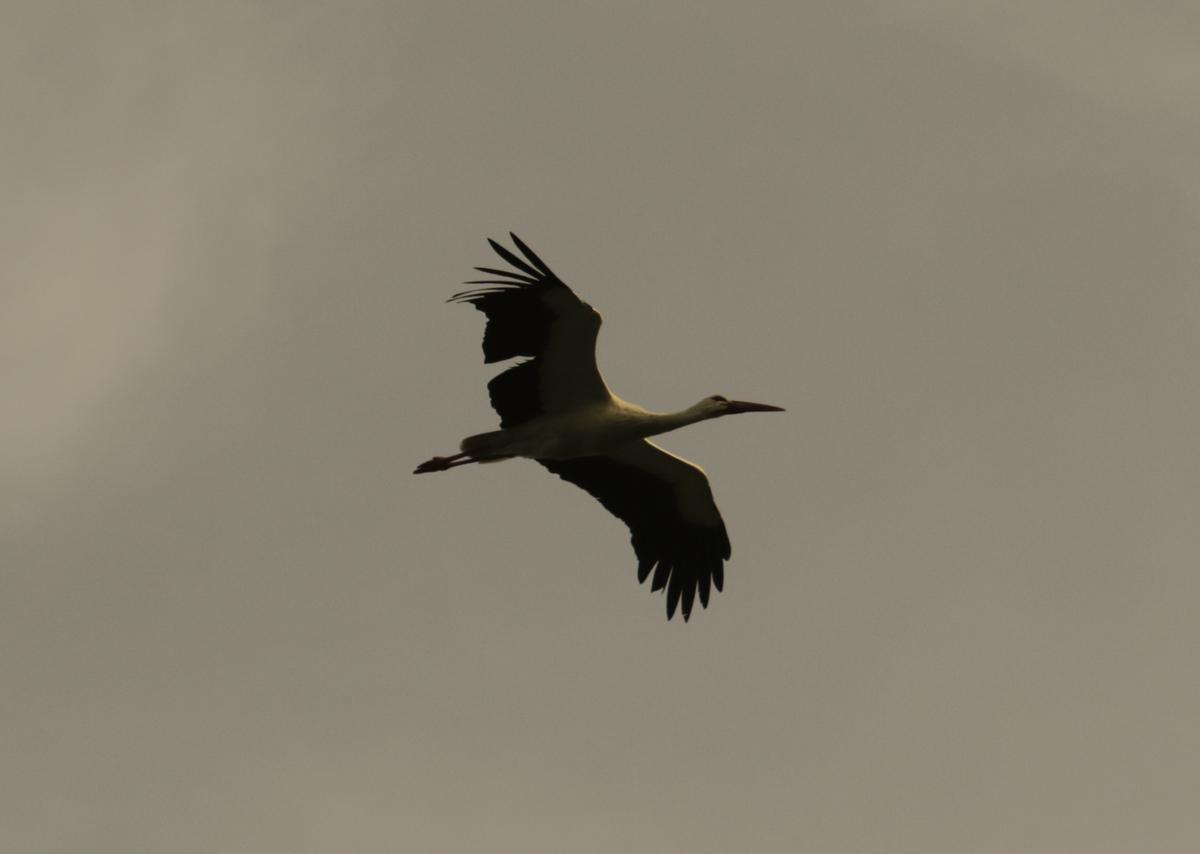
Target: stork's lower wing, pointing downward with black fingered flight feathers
x=668, y=506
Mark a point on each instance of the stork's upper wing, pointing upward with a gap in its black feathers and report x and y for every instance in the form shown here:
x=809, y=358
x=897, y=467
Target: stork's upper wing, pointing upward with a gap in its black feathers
x=531, y=312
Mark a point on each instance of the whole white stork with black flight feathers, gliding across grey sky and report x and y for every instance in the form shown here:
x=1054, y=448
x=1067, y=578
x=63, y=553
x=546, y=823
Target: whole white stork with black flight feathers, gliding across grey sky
x=556, y=410
